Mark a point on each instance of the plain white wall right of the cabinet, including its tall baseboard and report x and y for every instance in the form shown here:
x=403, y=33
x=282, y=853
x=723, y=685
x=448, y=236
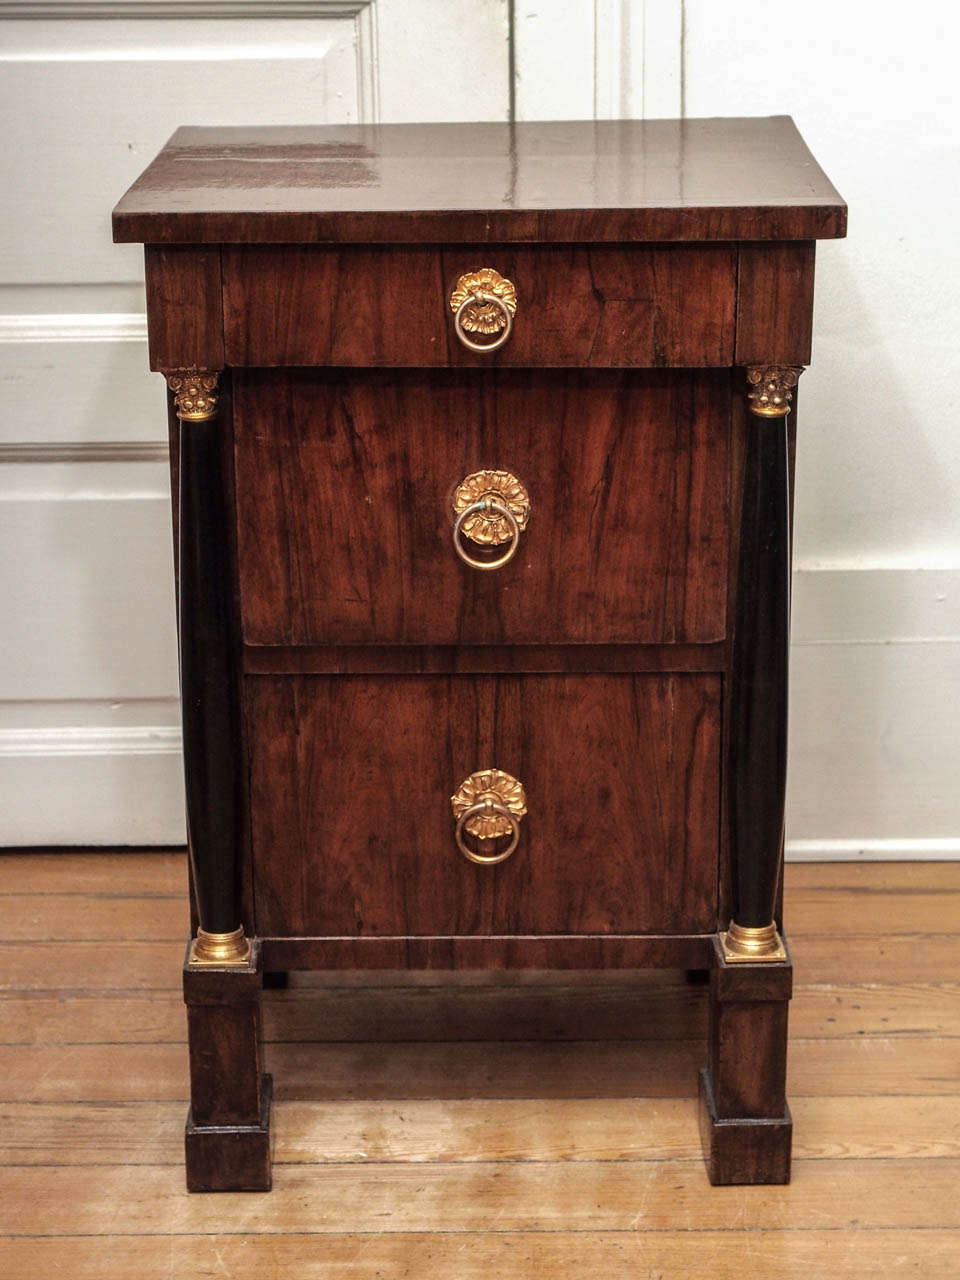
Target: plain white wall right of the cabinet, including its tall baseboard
x=876, y=737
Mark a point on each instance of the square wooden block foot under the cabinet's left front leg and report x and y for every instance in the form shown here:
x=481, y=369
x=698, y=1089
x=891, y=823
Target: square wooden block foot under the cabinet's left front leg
x=231, y=1158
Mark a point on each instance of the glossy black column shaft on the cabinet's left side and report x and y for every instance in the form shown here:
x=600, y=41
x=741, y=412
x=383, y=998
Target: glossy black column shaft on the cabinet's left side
x=208, y=678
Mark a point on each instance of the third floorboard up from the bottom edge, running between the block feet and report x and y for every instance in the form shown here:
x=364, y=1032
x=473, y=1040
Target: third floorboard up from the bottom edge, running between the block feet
x=473, y=1131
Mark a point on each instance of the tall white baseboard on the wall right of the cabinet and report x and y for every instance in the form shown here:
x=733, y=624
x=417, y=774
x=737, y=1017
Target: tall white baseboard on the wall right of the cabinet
x=875, y=737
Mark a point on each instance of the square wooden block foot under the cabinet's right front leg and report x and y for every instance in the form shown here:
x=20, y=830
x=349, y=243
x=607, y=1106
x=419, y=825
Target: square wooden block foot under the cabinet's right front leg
x=743, y=1151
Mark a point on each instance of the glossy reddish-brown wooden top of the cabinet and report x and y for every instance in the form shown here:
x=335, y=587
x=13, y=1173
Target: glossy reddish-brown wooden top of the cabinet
x=564, y=182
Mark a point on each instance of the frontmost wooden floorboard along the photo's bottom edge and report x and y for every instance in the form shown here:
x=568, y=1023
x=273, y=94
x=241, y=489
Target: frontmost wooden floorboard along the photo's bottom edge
x=851, y=1254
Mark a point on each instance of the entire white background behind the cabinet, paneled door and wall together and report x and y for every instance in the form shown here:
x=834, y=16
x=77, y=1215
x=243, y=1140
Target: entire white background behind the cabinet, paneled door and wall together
x=89, y=735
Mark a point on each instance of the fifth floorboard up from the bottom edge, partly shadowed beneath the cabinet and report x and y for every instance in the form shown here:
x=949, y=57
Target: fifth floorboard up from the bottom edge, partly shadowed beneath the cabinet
x=392, y=1007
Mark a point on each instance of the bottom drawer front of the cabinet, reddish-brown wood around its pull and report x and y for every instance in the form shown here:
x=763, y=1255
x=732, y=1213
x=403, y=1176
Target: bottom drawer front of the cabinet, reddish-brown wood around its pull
x=354, y=831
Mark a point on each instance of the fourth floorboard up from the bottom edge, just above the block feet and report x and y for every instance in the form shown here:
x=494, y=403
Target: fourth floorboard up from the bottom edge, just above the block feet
x=327, y=1072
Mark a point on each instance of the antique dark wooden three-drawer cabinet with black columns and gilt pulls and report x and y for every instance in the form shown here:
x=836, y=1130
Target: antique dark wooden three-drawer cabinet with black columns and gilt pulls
x=483, y=451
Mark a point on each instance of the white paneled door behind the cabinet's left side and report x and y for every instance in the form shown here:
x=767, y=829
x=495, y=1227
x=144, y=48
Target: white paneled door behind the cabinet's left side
x=89, y=93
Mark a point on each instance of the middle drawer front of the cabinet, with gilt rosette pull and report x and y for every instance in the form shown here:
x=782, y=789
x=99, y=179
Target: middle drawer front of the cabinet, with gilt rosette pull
x=349, y=487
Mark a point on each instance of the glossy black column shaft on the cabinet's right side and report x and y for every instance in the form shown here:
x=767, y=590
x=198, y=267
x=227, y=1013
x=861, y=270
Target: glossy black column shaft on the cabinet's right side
x=758, y=748
